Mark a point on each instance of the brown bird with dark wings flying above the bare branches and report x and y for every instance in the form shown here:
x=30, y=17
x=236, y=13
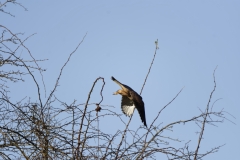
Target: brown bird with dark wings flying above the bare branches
x=130, y=100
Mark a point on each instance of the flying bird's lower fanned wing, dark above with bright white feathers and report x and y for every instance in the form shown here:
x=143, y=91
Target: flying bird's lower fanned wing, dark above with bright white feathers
x=127, y=106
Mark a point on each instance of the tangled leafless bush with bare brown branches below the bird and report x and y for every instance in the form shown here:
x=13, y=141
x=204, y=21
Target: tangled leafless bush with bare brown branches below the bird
x=53, y=129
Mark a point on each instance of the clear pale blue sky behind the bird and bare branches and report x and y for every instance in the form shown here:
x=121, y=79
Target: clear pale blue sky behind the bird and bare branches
x=194, y=37
